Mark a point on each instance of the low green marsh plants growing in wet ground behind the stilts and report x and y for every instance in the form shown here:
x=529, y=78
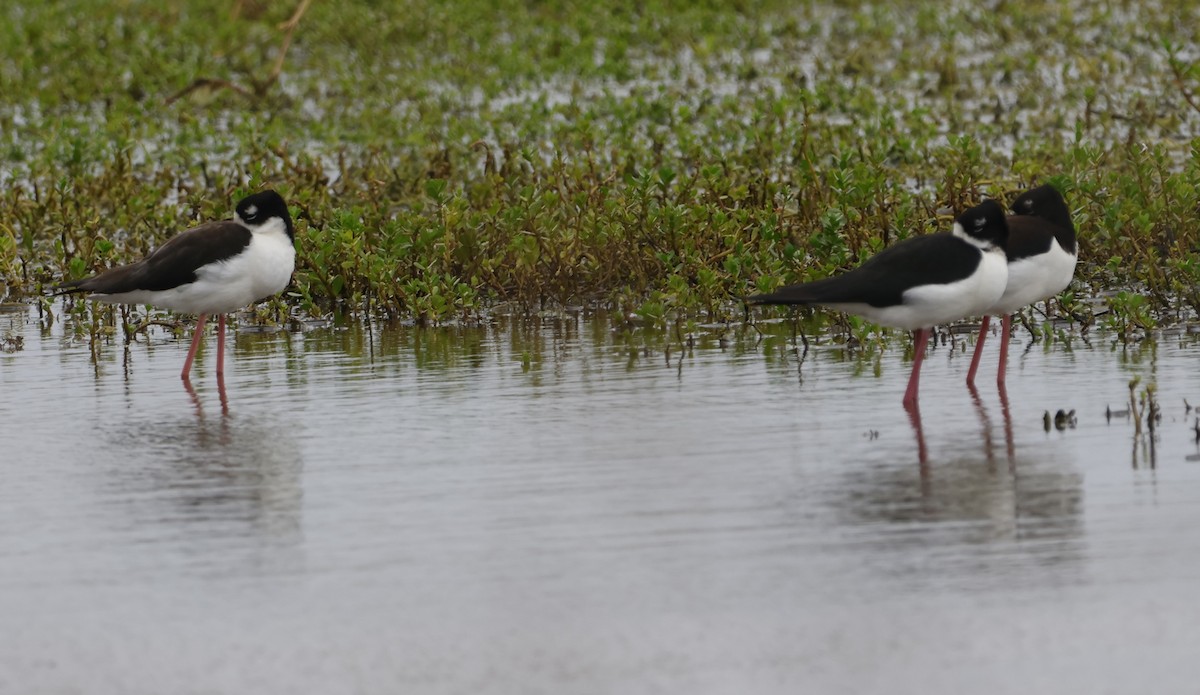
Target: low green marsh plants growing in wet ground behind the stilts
x=658, y=159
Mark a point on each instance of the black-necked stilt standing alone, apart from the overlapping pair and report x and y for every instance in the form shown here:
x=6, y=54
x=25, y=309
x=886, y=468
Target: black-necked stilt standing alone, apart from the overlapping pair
x=215, y=268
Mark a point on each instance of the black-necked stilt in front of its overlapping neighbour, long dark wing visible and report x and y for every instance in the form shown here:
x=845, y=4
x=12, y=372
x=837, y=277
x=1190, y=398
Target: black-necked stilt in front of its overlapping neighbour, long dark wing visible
x=921, y=283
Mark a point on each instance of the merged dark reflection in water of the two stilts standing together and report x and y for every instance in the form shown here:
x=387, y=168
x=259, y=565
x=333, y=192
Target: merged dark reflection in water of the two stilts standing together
x=985, y=517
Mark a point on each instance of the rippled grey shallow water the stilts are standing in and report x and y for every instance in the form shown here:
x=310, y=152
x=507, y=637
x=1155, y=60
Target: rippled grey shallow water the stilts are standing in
x=566, y=507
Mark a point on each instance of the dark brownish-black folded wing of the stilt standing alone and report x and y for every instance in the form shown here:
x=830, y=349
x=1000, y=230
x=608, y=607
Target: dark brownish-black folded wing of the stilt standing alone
x=172, y=265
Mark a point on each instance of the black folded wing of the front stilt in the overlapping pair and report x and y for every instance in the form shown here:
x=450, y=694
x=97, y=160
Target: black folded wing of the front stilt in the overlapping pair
x=933, y=260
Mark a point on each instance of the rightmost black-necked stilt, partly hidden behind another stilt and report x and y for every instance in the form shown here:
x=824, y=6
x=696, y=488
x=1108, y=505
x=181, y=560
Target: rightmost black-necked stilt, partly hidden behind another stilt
x=1042, y=255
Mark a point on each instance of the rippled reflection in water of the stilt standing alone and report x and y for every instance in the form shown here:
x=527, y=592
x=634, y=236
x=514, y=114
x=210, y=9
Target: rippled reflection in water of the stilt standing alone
x=232, y=482
